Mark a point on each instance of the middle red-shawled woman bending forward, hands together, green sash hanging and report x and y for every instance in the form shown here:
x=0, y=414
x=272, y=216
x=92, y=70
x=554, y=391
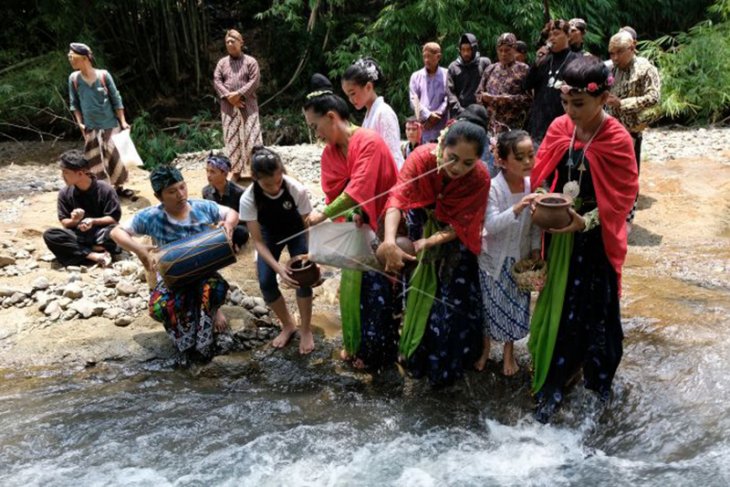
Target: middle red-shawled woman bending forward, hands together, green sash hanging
x=442, y=194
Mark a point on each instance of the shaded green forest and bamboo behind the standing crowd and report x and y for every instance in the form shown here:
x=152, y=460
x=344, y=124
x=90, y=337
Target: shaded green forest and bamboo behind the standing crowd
x=162, y=54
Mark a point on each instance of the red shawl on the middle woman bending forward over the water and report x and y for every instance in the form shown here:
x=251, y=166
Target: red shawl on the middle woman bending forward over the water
x=461, y=203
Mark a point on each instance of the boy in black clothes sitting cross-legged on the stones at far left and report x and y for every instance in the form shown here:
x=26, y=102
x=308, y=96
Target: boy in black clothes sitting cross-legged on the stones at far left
x=88, y=210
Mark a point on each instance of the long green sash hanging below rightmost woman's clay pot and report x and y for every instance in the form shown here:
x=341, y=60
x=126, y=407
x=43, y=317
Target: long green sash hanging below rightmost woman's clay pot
x=549, y=308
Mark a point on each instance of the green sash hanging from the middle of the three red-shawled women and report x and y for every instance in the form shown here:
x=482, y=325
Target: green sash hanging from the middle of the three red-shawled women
x=421, y=292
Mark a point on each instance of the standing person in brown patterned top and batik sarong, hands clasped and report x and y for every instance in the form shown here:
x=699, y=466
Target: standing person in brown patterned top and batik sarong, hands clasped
x=236, y=80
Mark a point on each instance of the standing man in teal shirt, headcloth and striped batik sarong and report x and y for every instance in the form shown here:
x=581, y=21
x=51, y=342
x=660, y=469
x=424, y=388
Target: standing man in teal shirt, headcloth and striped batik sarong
x=97, y=107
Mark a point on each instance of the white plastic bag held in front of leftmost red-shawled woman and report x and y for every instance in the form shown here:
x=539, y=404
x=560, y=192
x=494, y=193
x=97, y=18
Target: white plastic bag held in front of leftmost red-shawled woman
x=344, y=245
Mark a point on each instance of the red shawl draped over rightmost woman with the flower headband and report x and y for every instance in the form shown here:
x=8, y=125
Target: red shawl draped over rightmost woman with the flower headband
x=614, y=173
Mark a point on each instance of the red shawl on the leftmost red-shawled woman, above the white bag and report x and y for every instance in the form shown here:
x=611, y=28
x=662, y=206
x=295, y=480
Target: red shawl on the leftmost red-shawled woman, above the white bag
x=368, y=171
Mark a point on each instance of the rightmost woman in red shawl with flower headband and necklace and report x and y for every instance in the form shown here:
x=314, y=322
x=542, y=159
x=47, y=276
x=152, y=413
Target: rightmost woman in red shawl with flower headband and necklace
x=588, y=155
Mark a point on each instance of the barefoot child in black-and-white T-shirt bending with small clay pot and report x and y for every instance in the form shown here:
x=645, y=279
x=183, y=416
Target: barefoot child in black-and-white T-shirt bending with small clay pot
x=274, y=208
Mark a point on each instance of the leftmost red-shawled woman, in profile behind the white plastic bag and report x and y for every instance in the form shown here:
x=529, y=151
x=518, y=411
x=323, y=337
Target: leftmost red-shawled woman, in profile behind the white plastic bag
x=358, y=171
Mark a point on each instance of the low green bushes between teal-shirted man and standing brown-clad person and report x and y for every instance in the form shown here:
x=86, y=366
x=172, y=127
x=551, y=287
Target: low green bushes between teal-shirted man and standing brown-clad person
x=156, y=146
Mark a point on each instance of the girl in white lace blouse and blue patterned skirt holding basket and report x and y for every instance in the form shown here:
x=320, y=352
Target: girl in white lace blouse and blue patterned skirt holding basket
x=510, y=238
